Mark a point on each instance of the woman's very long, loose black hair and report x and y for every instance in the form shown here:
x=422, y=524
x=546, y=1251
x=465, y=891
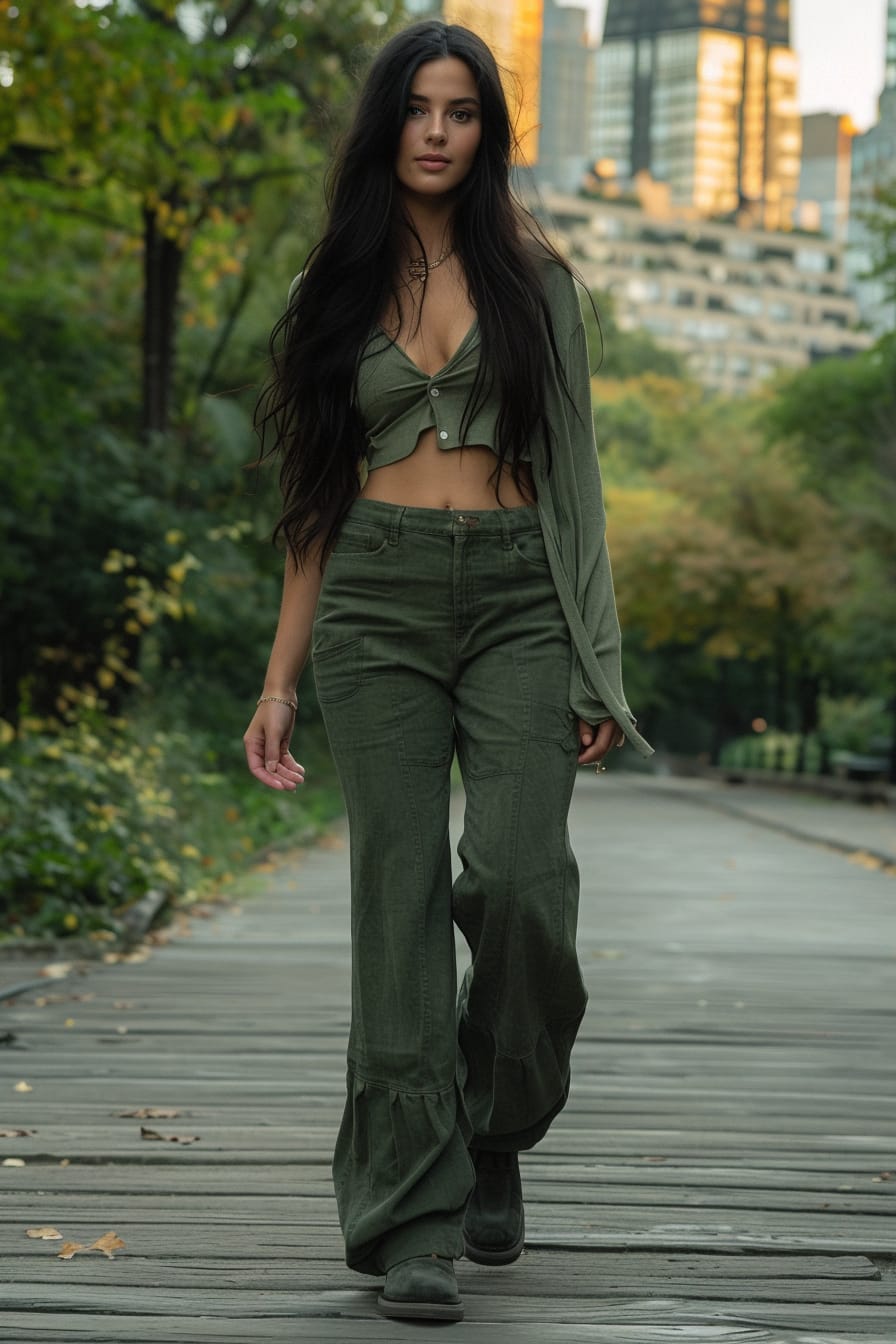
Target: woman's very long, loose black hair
x=307, y=411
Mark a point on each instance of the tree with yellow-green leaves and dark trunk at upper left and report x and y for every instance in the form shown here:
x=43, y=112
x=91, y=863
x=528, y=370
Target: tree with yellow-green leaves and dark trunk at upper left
x=163, y=122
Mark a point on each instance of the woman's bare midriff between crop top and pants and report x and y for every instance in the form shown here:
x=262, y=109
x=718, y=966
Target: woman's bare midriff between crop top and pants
x=460, y=478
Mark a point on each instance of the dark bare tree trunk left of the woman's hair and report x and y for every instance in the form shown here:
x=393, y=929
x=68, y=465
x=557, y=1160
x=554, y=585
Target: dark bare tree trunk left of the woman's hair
x=163, y=261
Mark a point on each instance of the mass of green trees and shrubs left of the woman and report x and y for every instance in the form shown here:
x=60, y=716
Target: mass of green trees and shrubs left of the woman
x=159, y=163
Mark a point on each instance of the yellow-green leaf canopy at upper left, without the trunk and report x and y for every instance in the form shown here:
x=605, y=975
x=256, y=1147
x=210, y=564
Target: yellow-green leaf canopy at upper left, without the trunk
x=175, y=108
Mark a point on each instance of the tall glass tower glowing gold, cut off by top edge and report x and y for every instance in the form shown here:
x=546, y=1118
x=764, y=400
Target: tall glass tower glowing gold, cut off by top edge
x=703, y=96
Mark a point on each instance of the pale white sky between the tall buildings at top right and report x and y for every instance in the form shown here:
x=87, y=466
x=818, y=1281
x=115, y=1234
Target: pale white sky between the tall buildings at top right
x=842, y=53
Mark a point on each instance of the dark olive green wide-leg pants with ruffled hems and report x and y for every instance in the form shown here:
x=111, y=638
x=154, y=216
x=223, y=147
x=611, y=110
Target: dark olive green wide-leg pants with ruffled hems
x=441, y=632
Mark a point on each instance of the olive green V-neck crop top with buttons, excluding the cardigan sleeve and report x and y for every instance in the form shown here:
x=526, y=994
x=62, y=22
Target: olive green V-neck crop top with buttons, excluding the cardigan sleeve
x=397, y=400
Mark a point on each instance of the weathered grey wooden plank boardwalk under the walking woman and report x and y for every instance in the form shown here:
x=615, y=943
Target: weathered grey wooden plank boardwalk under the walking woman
x=722, y=1174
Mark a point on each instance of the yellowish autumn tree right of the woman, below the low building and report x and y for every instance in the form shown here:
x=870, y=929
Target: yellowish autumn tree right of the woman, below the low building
x=725, y=548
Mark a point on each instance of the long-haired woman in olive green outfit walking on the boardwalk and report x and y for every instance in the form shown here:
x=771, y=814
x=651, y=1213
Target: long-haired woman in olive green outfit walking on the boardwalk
x=448, y=573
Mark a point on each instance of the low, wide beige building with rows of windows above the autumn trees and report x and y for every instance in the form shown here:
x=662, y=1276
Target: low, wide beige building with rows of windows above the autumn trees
x=738, y=303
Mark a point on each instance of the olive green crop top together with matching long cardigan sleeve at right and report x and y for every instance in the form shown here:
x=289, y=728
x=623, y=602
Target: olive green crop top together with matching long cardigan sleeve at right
x=397, y=401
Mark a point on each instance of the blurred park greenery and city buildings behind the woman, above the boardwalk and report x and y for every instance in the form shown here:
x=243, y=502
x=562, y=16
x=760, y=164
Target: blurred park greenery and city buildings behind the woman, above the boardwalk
x=162, y=181
